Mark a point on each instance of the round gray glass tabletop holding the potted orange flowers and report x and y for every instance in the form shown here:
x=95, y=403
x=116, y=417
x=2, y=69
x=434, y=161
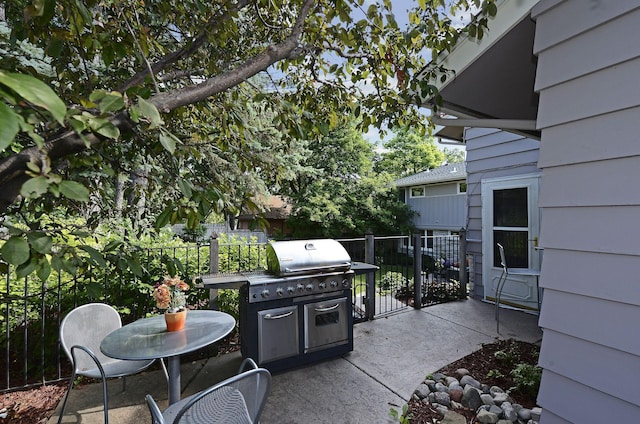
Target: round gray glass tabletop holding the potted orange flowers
x=148, y=338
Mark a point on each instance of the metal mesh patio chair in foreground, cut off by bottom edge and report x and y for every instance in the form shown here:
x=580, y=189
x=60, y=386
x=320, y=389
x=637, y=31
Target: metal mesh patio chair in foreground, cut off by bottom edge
x=236, y=400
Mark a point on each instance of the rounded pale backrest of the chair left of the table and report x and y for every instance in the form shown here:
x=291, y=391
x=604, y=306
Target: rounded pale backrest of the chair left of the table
x=87, y=325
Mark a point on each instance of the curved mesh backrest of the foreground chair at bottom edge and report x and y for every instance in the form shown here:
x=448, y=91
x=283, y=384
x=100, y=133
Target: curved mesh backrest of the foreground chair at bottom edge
x=239, y=399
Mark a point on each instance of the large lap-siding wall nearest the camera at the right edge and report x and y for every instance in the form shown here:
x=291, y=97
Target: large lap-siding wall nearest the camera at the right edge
x=587, y=78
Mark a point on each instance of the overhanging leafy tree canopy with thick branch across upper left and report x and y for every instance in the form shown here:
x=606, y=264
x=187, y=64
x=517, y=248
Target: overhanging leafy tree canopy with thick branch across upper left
x=169, y=110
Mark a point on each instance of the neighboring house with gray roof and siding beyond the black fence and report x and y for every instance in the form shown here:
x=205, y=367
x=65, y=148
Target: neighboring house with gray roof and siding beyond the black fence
x=438, y=196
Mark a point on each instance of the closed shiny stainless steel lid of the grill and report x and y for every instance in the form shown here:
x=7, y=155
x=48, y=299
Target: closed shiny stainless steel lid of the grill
x=306, y=256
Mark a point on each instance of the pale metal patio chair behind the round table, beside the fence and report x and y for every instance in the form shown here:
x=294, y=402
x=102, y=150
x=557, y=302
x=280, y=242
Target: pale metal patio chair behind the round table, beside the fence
x=81, y=333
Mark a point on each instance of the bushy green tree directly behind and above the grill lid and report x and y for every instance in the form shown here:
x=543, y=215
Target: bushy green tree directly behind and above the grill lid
x=343, y=195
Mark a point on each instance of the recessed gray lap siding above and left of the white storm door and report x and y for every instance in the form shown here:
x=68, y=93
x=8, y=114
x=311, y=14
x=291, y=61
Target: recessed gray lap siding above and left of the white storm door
x=491, y=153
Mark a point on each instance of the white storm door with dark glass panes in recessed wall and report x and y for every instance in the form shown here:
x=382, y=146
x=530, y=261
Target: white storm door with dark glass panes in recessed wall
x=511, y=217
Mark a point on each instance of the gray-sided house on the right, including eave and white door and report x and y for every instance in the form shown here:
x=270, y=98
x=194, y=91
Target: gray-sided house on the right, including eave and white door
x=550, y=98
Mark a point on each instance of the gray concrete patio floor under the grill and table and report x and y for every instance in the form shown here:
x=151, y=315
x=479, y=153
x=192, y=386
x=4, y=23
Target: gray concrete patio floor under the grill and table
x=391, y=356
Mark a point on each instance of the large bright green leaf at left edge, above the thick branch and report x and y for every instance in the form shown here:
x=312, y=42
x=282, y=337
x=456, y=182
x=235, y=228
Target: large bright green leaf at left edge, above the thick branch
x=36, y=92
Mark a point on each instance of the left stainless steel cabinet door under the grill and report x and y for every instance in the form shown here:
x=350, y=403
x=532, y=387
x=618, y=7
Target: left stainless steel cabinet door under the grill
x=278, y=333
